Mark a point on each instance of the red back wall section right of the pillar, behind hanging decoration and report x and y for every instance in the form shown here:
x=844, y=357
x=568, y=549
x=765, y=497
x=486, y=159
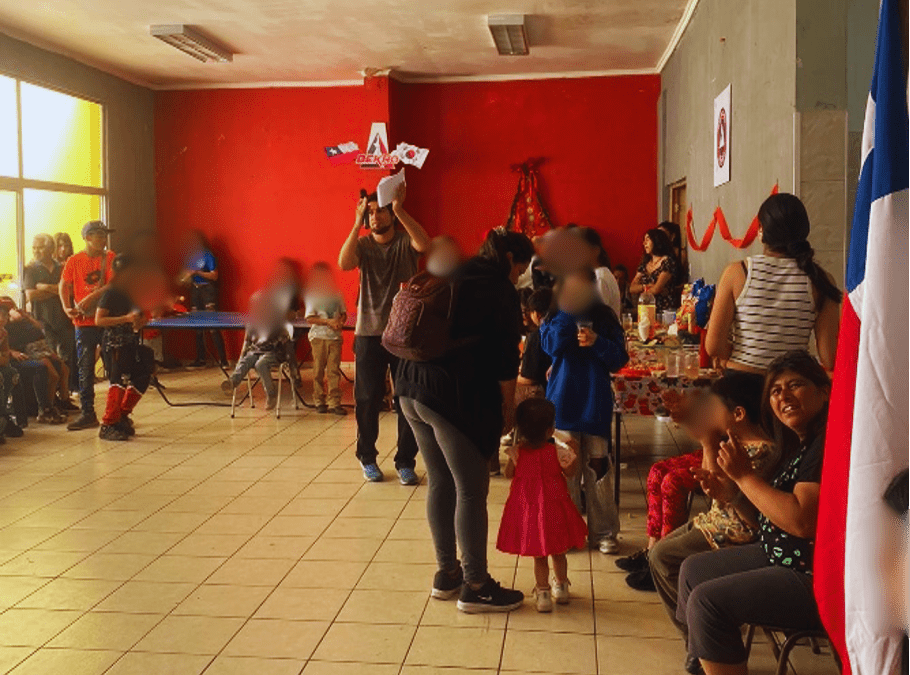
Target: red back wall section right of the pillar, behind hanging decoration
x=597, y=136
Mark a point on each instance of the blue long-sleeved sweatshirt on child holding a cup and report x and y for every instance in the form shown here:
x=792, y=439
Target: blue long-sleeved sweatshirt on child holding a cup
x=579, y=384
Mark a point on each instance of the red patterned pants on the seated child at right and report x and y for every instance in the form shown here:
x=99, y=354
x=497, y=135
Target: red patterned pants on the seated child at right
x=669, y=483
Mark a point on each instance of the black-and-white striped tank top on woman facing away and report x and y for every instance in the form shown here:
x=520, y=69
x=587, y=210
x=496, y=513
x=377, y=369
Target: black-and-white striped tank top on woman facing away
x=775, y=312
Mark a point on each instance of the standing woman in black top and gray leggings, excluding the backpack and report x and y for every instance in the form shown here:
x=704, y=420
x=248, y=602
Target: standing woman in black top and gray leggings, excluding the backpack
x=457, y=405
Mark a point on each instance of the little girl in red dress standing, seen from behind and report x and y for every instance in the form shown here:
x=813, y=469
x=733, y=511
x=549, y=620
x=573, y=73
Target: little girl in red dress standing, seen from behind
x=539, y=518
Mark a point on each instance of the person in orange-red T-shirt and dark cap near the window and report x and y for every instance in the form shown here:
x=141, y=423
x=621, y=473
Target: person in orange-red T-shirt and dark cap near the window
x=84, y=279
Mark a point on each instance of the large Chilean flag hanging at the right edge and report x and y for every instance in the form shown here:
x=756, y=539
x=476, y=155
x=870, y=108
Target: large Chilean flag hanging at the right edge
x=868, y=434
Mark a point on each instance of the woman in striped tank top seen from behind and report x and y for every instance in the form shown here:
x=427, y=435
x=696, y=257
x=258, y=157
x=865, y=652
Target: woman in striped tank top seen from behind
x=769, y=304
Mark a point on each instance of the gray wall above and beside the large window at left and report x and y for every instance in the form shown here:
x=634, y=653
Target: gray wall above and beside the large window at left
x=129, y=114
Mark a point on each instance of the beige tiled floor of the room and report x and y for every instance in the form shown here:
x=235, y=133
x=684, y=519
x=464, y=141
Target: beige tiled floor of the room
x=253, y=546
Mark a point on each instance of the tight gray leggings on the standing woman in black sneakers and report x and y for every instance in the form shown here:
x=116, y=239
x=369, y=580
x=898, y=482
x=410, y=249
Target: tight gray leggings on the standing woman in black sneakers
x=458, y=484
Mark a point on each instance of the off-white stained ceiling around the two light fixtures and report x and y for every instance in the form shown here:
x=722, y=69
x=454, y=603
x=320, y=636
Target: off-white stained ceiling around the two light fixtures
x=335, y=40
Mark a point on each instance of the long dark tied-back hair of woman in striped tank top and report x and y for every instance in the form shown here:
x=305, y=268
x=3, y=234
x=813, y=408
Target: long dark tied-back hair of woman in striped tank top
x=785, y=230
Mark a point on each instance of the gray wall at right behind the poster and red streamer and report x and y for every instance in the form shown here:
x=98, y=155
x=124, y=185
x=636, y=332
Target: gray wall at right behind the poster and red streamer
x=757, y=57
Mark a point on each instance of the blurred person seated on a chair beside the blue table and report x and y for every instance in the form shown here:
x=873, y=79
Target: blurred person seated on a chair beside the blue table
x=264, y=346
